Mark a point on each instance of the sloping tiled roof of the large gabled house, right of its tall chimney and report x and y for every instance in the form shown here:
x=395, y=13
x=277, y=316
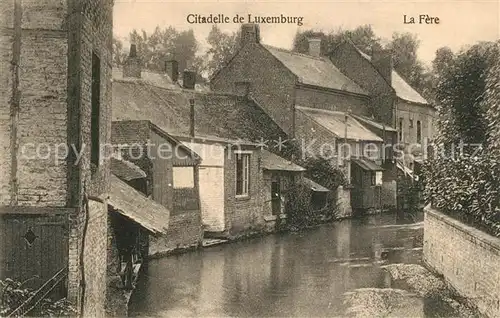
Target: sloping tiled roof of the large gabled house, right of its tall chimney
x=315, y=71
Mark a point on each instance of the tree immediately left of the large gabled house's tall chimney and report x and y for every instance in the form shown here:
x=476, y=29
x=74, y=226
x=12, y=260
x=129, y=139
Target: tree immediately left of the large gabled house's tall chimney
x=222, y=48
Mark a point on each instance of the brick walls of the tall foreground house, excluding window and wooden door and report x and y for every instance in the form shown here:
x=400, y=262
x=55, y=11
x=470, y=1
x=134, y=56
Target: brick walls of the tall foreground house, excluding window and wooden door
x=46, y=77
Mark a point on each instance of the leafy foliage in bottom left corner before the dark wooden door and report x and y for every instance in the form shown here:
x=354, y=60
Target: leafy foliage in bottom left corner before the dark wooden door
x=13, y=294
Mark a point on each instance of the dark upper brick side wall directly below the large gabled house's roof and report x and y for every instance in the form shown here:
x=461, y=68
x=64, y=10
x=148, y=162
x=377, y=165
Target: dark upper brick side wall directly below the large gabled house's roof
x=334, y=101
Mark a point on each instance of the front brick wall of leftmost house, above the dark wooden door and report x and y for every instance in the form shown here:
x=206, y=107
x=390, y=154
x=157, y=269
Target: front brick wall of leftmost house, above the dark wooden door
x=39, y=107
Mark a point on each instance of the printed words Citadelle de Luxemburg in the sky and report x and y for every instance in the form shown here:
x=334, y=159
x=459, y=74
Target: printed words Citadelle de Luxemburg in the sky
x=248, y=18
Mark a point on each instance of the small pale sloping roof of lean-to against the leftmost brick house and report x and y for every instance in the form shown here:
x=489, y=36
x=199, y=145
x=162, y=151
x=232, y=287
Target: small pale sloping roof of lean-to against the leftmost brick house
x=134, y=205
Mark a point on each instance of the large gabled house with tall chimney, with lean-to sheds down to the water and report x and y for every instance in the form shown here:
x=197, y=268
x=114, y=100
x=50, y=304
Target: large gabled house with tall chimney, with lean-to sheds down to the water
x=288, y=85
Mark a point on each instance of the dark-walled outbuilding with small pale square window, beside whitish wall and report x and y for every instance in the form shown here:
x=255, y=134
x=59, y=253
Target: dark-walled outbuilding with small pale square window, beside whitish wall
x=171, y=178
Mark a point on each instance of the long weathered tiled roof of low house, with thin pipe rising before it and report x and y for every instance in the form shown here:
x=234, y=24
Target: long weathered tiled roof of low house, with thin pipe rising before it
x=216, y=115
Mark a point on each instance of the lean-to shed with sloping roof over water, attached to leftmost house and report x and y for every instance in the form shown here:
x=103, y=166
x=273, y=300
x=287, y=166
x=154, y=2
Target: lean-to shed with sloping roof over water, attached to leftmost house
x=132, y=220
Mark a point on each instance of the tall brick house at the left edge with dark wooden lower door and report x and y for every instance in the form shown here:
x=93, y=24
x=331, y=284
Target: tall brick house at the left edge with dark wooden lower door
x=56, y=92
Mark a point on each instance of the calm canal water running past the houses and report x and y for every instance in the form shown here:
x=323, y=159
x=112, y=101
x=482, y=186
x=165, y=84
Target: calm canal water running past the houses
x=307, y=274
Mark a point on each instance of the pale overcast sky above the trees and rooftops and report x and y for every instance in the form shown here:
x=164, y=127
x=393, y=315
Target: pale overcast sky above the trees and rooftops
x=461, y=22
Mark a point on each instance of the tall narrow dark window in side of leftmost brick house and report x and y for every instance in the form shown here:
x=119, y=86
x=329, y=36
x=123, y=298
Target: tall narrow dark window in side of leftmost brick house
x=95, y=112
